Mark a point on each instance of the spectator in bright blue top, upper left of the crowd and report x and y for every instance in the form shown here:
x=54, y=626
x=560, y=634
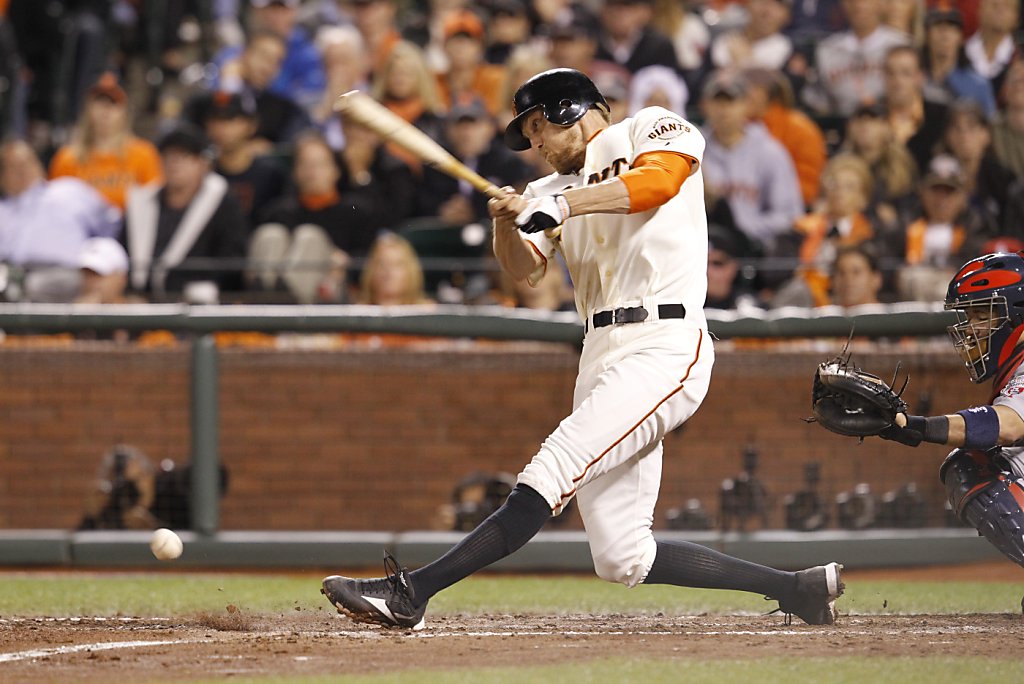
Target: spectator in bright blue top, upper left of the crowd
x=302, y=78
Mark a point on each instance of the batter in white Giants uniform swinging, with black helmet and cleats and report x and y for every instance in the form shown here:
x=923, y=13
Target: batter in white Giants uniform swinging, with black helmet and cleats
x=625, y=208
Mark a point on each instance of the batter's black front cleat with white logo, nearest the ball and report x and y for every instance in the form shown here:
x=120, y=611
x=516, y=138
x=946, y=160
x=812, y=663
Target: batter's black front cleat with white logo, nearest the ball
x=388, y=602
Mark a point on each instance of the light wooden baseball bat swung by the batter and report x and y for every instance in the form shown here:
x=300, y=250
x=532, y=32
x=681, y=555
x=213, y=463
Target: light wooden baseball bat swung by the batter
x=366, y=111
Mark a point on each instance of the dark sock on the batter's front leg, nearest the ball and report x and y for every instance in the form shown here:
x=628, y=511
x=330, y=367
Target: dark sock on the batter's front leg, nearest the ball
x=505, y=531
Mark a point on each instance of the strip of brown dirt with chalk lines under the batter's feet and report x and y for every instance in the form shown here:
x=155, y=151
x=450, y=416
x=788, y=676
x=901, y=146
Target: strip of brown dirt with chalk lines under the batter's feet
x=217, y=647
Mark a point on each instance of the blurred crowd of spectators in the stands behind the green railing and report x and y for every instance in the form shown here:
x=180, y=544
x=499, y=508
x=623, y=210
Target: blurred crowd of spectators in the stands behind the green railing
x=858, y=151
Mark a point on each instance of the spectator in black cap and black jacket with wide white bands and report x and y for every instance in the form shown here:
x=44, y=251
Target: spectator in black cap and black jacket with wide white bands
x=191, y=218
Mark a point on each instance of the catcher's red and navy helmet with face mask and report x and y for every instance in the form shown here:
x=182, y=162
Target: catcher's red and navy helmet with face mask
x=988, y=294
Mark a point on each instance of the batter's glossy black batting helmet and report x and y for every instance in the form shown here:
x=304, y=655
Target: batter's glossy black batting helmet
x=565, y=96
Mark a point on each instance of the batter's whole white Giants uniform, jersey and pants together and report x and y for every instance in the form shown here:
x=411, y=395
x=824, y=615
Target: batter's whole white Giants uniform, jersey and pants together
x=637, y=381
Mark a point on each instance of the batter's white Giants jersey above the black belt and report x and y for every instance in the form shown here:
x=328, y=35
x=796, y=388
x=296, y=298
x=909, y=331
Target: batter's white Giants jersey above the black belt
x=658, y=256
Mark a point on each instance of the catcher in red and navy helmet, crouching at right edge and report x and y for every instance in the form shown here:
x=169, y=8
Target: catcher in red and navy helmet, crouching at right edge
x=985, y=476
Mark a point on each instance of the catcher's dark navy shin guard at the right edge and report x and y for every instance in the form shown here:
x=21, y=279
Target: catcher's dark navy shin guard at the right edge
x=990, y=500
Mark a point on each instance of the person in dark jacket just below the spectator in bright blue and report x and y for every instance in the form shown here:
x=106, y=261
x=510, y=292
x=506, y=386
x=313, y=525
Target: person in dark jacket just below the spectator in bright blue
x=251, y=74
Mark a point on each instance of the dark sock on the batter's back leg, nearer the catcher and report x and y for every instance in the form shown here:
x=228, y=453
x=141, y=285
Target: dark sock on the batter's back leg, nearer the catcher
x=688, y=565
